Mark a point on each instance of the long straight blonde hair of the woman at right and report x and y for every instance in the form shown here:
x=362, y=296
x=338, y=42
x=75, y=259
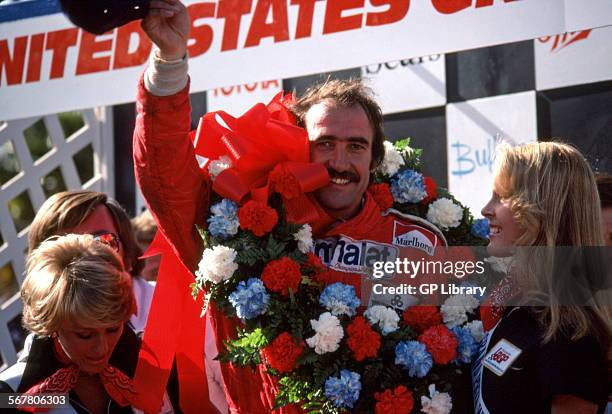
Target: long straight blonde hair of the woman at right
x=554, y=198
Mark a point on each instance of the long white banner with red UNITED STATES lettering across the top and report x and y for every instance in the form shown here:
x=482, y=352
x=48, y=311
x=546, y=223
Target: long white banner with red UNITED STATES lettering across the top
x=48, y=66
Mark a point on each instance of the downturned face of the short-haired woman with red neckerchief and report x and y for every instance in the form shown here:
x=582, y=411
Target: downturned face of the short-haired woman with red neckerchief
x=89, y=348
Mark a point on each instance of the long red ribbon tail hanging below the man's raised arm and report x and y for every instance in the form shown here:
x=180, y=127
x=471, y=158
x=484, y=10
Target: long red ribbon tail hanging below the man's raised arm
x=174, y=331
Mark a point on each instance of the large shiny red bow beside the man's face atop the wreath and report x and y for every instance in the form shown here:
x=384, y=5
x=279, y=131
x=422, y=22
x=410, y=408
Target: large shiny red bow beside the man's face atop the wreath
x=264, y=139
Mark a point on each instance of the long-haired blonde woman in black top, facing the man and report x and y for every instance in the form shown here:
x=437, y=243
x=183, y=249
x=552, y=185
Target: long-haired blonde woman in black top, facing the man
x=550, y=358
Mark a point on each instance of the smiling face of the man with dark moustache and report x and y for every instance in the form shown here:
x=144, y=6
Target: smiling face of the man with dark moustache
x=341, y=139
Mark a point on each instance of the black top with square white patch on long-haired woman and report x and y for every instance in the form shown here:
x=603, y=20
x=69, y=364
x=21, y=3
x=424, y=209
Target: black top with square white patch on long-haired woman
x=541, y=371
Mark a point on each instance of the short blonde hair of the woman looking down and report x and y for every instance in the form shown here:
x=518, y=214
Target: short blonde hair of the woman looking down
x=75, y=277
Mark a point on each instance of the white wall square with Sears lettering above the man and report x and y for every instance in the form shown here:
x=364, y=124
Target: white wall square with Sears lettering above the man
x=408, y=84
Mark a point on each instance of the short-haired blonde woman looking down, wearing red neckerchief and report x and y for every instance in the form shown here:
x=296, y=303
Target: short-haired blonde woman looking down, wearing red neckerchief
x=77, y=300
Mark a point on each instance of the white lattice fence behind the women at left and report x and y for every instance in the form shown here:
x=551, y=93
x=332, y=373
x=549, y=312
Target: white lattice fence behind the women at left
x=41, y=158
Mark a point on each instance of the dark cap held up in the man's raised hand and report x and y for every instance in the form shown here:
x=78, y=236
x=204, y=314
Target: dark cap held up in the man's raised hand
x=100, y=16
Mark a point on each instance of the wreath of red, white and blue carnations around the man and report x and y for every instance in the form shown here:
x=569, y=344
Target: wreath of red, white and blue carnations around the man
x=328, y=357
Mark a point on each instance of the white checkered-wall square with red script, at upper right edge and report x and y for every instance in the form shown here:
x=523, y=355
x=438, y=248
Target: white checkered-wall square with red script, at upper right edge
x=573, y=58
